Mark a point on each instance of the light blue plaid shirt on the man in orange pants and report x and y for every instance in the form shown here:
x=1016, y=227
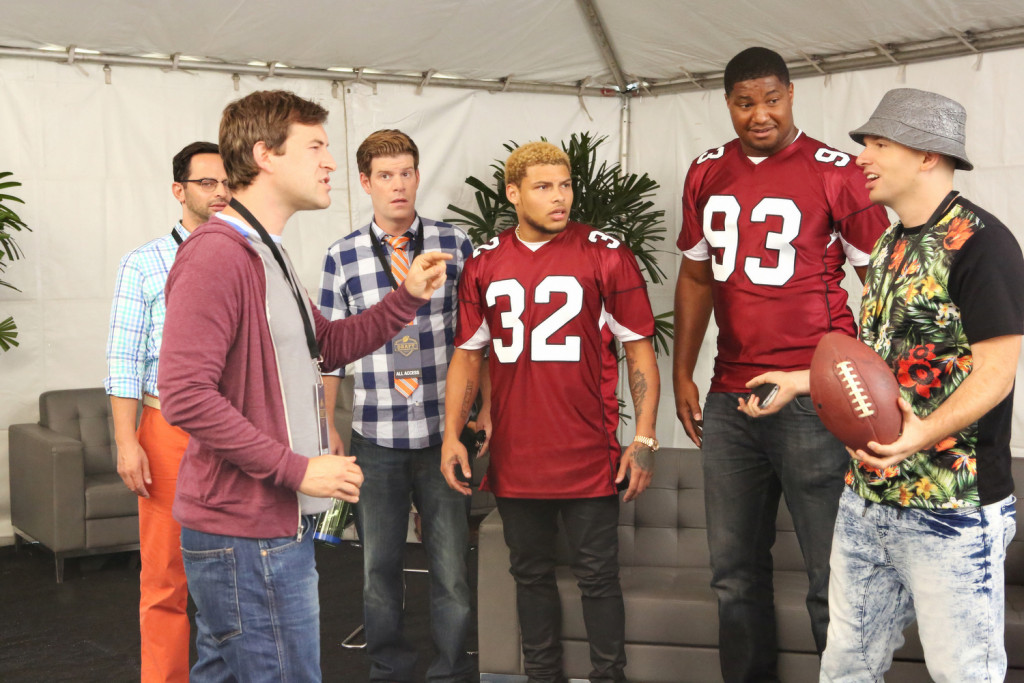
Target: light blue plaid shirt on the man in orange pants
x=138, y=318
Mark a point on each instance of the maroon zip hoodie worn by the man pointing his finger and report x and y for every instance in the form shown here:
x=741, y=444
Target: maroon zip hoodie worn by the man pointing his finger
x=219, y=381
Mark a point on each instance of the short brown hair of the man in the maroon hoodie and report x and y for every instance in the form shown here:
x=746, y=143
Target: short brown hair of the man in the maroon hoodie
x=264, y=116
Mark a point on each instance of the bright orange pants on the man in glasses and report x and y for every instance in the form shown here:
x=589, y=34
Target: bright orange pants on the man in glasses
x=164, y=592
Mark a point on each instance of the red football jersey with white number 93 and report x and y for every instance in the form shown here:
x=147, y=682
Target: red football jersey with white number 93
x=779, y=234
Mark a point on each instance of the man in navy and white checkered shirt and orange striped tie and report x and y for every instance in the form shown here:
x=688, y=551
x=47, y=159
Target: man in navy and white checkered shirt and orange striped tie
x=400, y=414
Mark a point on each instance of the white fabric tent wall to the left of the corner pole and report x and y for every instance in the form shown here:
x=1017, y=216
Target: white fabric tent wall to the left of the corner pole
x=95, y=161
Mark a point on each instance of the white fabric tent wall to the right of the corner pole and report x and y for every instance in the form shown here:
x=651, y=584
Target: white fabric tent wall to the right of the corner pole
x=669, y=133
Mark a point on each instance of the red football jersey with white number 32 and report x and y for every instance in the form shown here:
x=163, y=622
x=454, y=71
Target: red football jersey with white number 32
x=549, y=317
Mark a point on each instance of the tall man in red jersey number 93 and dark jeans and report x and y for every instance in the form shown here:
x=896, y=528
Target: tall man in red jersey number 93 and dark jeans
x=770, y=220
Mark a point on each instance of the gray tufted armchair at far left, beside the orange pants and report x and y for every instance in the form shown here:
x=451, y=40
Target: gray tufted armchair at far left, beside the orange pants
x=65, y=489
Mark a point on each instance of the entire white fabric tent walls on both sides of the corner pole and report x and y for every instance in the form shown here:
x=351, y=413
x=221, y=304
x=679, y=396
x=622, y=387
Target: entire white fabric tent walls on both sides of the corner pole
x=95, y=160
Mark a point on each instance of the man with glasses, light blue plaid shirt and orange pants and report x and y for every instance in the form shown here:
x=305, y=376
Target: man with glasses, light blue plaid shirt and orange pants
x=149, y=457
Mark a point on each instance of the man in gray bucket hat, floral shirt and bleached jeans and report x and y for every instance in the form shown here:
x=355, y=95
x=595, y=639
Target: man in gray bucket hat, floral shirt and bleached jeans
x=925, y=522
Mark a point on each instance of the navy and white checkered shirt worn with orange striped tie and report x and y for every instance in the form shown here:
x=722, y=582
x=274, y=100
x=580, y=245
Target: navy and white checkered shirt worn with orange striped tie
x=354, y=281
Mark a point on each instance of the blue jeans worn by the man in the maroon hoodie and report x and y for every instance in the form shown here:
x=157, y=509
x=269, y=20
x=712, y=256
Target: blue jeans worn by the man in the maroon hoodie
x=258, y=613
